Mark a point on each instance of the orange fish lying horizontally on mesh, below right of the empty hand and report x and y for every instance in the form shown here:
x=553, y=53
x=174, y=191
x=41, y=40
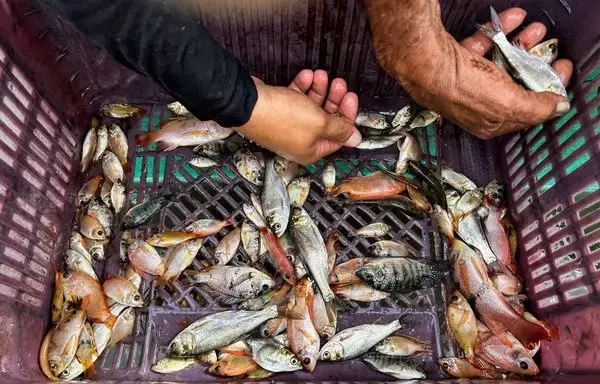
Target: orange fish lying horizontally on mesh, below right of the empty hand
x=375, y=186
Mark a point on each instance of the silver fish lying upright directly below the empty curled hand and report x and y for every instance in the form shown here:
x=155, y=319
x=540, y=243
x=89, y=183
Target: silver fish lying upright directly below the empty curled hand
x=275, y=200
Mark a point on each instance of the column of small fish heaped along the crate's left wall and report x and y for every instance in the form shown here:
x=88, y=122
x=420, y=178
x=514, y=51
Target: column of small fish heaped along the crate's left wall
x=89, y=316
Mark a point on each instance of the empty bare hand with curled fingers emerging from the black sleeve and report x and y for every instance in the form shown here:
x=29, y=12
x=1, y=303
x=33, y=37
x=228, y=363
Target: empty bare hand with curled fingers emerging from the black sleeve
x=294, y=122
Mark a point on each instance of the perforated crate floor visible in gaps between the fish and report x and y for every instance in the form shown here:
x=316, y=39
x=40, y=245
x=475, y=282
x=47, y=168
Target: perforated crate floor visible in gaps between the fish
x=218, y=192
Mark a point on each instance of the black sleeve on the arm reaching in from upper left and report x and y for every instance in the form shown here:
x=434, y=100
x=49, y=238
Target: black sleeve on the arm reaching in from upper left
x=165, y=41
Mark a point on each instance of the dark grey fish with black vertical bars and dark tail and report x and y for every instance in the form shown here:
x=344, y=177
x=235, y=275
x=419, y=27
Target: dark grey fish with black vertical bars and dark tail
x=401, y=274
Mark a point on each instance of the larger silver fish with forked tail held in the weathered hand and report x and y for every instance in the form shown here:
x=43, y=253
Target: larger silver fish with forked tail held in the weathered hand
x=531, y=71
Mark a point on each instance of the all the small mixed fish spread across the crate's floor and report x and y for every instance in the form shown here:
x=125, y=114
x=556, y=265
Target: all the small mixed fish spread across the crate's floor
x=285, y=289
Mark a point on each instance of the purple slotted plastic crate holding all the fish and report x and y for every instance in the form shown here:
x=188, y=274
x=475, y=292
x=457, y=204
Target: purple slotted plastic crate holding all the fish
x=52, y=80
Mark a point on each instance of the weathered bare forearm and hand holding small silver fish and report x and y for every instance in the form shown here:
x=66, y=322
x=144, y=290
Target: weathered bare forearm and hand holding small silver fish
x=454, y=79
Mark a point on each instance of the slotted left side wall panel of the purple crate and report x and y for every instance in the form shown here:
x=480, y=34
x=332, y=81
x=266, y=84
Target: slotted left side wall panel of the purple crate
x=38, y=160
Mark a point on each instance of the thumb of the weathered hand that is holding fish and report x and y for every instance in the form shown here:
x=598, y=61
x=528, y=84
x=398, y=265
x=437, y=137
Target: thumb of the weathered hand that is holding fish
x=536, y=107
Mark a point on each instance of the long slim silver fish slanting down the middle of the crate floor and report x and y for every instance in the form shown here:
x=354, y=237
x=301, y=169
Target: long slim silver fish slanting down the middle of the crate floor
x=311, y=247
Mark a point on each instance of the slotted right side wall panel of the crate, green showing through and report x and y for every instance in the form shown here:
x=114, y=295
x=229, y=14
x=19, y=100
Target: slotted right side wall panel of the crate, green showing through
x=553, y=173
